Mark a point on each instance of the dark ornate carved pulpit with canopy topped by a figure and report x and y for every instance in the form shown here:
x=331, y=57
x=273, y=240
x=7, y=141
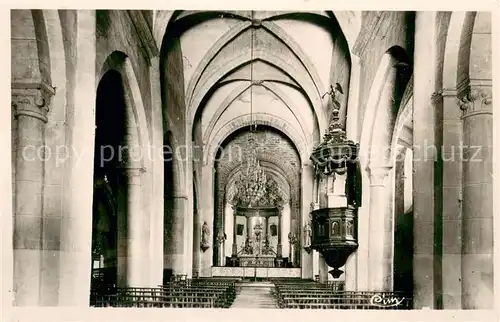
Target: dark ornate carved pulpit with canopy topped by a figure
x=334, y=224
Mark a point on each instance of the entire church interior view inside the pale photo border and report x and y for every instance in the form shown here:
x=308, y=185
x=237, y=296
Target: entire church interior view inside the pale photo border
x=312, y=160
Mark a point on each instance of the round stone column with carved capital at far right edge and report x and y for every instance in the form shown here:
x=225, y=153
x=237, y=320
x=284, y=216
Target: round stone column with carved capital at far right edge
x=477, y=243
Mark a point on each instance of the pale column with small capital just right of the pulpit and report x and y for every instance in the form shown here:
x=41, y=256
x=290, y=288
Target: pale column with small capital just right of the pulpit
x=379, y=278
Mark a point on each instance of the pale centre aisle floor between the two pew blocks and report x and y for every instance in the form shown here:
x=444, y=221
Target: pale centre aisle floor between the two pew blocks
x=254, y=295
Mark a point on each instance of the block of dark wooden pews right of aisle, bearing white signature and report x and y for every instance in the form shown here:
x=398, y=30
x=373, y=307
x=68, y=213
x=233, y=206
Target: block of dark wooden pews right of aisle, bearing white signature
x=308, y=294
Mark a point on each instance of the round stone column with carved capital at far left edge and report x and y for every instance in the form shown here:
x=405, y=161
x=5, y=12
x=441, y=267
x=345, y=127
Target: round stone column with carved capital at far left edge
x=31, y=105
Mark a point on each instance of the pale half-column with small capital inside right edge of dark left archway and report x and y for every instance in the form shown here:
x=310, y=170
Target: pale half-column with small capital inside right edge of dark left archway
x=137, y=233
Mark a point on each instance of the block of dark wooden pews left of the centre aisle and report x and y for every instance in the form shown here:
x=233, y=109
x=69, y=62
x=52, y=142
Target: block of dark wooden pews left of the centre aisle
x=188, y=293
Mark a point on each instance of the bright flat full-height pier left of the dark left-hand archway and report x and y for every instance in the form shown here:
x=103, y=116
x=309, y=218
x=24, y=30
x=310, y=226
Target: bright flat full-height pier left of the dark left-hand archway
x=76, y=229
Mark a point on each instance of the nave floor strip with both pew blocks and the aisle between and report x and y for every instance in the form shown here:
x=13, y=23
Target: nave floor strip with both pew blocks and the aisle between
x=282, y=293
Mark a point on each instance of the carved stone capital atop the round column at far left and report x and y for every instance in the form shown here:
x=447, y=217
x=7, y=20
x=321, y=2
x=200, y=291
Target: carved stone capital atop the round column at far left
x=31, y=99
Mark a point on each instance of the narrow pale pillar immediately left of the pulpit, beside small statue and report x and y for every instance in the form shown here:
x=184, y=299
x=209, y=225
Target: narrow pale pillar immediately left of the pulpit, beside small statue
x=307, y=188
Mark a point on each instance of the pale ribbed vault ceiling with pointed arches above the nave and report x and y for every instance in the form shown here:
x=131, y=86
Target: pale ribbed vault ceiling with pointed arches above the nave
x=282, y=62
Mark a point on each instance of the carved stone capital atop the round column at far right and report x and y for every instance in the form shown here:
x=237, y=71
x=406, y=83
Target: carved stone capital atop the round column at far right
x=475, y=100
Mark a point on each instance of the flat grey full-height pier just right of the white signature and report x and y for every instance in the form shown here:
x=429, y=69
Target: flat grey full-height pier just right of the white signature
x=424, y=121
